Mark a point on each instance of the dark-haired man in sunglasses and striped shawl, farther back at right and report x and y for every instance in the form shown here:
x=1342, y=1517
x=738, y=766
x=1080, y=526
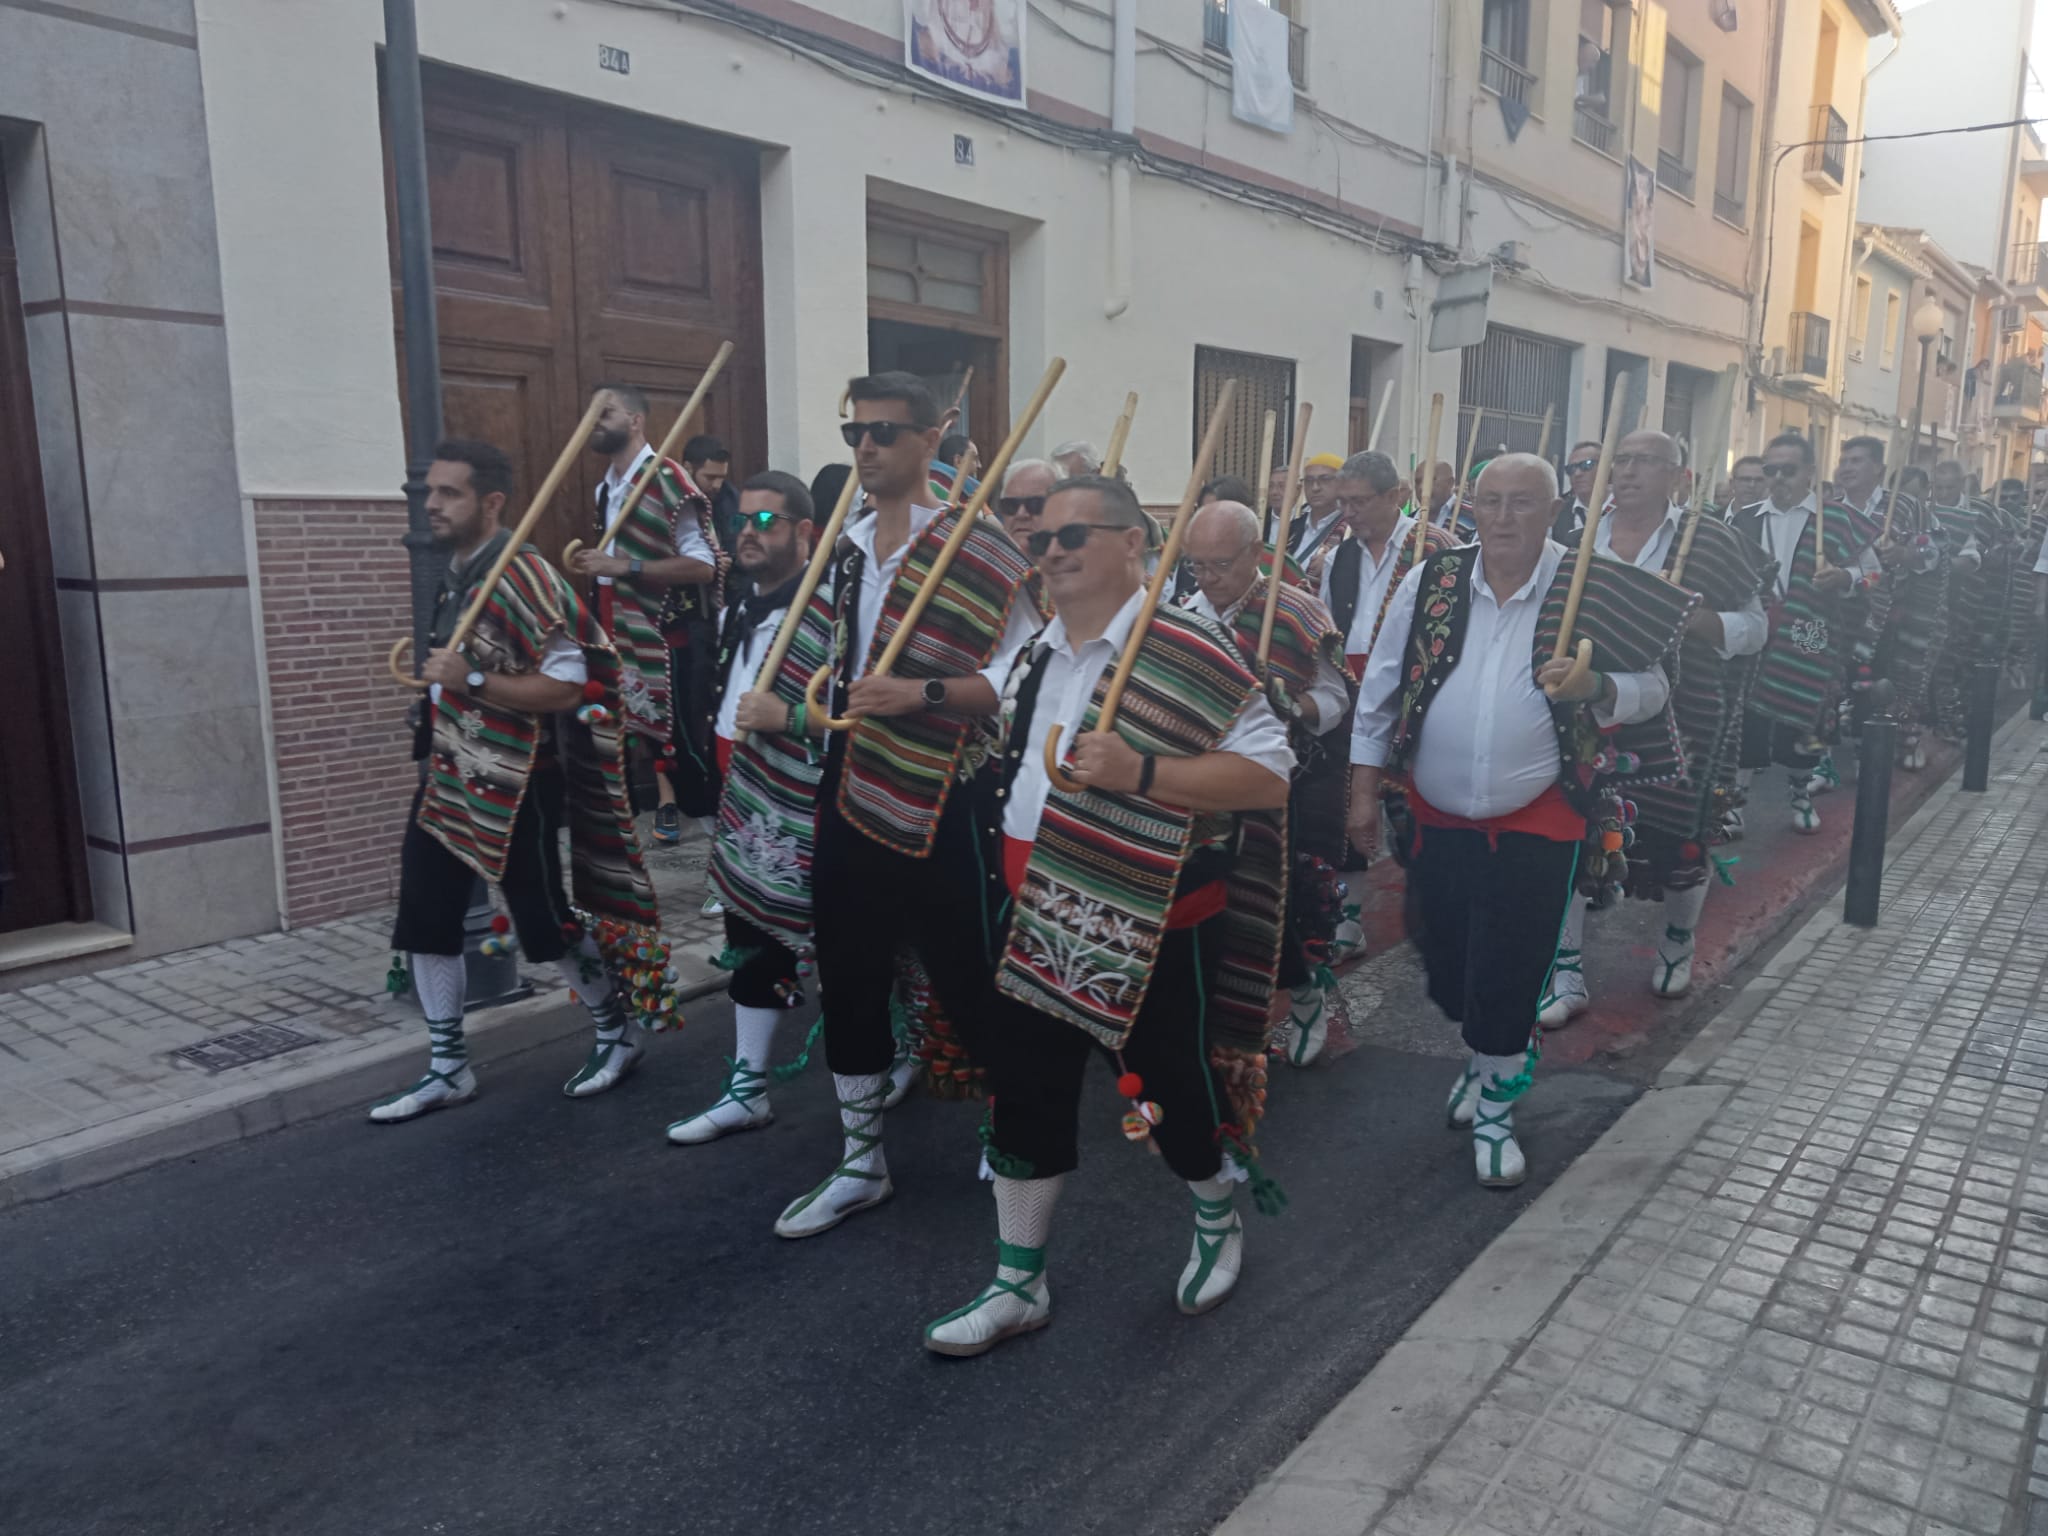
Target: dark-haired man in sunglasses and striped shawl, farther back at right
x=1816, y=624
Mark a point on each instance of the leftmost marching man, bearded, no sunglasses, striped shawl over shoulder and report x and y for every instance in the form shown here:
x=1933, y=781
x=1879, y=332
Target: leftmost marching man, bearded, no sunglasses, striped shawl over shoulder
x=507, y=765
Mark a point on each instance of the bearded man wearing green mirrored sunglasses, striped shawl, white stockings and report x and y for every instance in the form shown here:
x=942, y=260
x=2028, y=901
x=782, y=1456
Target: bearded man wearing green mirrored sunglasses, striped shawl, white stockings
x=765, y=835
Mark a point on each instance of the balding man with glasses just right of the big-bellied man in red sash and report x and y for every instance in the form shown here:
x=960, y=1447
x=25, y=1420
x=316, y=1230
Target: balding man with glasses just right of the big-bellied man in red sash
x=1676, y=818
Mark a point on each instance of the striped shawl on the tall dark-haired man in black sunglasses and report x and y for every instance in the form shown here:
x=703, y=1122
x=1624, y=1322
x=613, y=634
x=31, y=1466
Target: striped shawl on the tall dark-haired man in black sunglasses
x=900, y=769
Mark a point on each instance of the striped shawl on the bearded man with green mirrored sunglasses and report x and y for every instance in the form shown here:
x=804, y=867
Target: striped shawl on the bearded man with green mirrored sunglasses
x=767, y=830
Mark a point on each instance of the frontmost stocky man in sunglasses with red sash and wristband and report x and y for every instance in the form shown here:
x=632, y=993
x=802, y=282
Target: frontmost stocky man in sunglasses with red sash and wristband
x=1144, y=908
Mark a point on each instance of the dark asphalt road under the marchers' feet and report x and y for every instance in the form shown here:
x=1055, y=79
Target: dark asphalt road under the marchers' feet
x=534, y=1316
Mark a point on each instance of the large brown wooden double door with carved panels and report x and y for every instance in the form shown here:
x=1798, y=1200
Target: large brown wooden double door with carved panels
x=574, y=247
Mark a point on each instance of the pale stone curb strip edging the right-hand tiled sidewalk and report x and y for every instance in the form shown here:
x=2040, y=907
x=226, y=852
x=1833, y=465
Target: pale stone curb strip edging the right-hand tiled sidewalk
x=1383, y=1433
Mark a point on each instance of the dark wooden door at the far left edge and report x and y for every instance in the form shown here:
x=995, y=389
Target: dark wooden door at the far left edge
x=42, y=833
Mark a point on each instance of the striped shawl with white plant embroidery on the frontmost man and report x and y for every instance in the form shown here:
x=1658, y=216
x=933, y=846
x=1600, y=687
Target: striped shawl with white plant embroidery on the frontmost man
x=1086, y=927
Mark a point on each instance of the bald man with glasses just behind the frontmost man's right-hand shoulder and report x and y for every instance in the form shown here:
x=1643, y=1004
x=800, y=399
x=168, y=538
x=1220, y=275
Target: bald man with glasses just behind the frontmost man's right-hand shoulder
x=1310, y=687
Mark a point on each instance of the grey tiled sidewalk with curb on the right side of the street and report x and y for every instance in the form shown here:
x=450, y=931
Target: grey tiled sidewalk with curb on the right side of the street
x=1799, y=1289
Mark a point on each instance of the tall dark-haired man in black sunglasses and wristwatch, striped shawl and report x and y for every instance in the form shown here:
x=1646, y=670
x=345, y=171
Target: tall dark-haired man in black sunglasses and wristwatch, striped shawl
x=894, y=810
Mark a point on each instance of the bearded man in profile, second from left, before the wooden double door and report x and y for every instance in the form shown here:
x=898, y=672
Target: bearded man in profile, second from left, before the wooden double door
x=658, y=591
